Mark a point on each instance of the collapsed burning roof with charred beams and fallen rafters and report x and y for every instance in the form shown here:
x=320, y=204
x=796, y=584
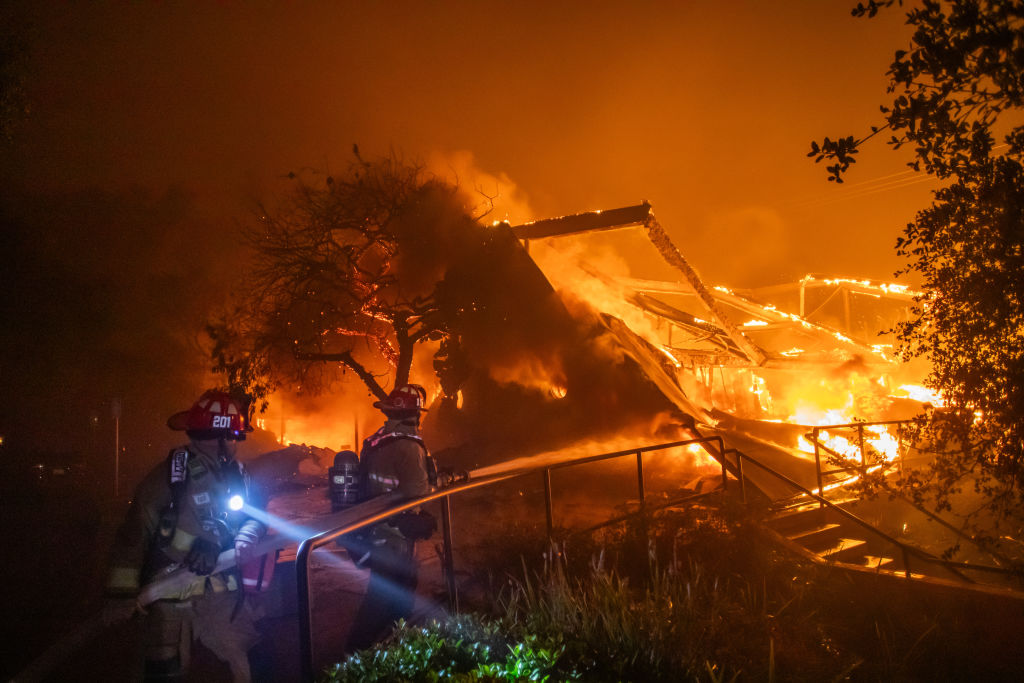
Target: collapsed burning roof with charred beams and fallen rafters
x=701, y=335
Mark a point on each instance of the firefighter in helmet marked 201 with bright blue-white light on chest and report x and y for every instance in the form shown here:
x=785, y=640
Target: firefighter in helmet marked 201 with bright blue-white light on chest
x=186, y=513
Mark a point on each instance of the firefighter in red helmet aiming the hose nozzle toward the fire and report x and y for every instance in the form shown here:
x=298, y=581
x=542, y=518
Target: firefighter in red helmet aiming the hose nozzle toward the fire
x=394, y=459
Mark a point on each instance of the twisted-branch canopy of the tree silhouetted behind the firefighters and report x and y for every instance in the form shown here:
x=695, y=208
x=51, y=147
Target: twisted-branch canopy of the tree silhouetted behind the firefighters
x=346, y=271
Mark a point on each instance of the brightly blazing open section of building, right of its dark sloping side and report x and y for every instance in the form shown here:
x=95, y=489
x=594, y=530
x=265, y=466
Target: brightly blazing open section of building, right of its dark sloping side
x=761, y=367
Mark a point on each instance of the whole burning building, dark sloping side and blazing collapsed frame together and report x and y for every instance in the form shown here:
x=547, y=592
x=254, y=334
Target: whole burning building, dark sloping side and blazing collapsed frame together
x=551, y=348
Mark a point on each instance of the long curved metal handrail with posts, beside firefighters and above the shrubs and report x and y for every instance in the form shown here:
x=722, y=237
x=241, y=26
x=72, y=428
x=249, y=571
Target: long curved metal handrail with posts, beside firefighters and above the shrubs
x=309, y=545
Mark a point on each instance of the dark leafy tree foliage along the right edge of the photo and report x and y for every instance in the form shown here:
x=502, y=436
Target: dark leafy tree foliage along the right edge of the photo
x=958, y=100
